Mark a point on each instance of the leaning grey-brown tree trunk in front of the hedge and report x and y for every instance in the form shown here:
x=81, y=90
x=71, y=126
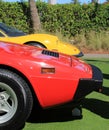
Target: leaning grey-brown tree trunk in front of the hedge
x=34, y=16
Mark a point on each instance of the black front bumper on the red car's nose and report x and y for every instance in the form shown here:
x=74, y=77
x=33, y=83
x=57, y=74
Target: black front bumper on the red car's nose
x=86, y=86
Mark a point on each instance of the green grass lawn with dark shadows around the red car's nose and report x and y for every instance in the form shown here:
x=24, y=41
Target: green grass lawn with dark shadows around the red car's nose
x=95, y=109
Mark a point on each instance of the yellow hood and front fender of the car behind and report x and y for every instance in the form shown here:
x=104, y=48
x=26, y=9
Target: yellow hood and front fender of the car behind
x=51, y=42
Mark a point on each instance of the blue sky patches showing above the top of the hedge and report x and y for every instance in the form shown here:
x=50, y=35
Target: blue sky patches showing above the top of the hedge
x=62, y=1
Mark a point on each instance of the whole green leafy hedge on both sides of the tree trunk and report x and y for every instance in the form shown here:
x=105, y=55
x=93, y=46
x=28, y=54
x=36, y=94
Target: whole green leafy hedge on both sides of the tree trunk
x=69, y=19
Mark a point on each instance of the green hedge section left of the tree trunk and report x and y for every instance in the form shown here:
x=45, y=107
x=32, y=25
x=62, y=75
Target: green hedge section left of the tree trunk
x=13, y=14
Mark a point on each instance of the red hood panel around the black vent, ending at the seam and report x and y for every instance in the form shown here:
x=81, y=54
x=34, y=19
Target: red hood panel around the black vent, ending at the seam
x=34, y=53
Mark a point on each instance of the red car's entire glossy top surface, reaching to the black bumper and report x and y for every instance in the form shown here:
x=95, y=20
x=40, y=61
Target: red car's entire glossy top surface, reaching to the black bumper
x=45, y=58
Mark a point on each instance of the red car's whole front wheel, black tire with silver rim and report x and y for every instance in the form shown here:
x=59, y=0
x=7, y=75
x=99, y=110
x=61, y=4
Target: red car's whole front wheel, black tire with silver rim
x=15, y=101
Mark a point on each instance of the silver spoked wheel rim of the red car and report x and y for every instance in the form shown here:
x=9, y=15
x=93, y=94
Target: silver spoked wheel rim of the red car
x=8, y=103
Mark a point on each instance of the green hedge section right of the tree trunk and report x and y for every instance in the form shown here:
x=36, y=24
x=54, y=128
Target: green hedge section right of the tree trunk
x=70, y=19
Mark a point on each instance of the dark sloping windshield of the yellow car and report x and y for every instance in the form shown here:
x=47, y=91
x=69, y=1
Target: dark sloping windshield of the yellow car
x=10, y=31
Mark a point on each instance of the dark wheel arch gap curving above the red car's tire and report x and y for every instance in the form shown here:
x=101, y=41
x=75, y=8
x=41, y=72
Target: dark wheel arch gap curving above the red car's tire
x=35, y=99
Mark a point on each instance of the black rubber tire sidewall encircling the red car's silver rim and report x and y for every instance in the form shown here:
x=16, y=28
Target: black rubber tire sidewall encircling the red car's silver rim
x=20, y=116
